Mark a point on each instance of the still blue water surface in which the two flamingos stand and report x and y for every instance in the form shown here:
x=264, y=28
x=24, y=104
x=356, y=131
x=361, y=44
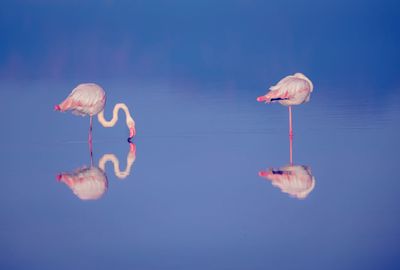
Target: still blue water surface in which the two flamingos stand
x=191, y=195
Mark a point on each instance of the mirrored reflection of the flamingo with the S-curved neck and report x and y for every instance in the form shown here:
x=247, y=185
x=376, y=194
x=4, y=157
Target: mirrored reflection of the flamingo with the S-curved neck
x=90, y=183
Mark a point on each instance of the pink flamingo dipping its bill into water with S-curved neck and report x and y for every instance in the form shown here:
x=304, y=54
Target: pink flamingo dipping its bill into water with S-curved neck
x=90, y=99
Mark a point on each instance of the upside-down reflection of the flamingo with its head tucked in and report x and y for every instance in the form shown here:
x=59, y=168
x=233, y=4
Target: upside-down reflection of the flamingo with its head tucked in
x=295, y=180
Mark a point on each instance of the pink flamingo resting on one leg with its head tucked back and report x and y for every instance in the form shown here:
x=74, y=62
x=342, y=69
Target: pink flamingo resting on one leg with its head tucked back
x=292, y=90
